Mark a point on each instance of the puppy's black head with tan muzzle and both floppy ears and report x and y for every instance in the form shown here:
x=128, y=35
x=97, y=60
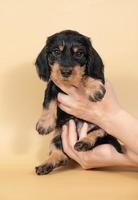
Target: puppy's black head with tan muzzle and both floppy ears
x=68, y=55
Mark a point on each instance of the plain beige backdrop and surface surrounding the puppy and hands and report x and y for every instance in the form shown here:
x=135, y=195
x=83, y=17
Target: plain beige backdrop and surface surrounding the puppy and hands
x=24, y=26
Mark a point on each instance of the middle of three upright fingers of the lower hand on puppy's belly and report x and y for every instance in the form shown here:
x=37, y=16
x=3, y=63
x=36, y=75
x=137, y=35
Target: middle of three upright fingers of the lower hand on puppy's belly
x=72, y=133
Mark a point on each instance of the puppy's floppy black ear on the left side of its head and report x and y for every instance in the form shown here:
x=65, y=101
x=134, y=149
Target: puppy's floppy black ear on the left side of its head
x=42, y=66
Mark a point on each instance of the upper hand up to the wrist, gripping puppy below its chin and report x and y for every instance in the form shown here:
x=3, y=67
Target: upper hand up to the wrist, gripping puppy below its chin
x=76, y=103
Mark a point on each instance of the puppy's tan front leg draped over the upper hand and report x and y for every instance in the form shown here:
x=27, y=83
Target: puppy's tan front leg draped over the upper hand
x=94, y=88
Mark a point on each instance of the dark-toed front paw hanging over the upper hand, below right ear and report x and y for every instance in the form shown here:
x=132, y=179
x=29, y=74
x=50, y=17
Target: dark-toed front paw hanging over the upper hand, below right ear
x=97, y=94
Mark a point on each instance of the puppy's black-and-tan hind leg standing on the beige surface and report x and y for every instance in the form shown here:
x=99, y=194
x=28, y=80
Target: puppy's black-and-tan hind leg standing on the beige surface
x=56, y=157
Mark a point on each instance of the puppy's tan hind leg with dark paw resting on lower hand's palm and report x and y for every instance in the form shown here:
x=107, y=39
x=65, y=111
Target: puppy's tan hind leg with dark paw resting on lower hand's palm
x=88, y=142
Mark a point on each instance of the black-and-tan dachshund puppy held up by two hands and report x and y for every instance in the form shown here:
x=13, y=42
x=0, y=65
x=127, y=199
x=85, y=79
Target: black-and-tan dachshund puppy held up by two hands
x=69, y=57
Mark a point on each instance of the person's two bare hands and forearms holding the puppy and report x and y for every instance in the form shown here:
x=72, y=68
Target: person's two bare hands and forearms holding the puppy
x=107, y=114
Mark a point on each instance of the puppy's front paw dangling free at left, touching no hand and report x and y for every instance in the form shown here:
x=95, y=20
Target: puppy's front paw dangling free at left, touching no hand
x=43, y=127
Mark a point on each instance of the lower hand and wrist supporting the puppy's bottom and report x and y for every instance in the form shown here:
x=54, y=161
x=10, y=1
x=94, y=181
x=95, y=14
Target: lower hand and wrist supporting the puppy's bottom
x=101, y=156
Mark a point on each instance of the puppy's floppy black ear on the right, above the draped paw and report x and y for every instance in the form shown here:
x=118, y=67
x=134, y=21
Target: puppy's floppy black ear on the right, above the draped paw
x=95, y=67
